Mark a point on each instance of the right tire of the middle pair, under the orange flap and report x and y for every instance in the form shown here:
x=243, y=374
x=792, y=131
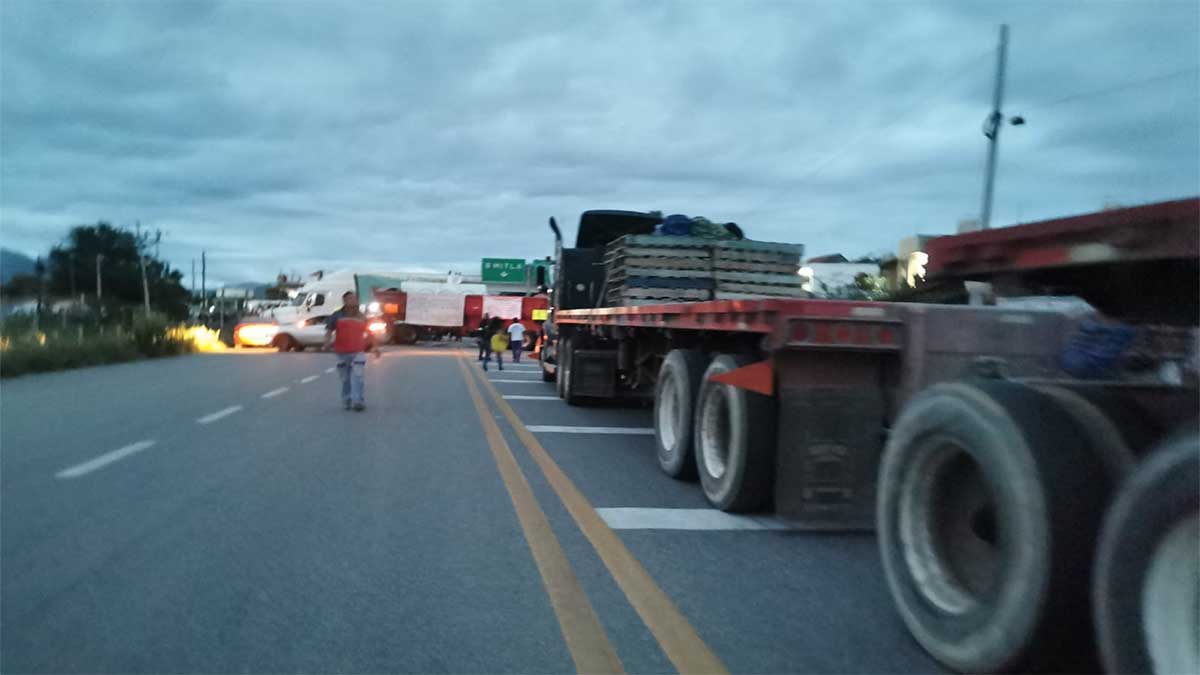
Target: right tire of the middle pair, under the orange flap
x=734, y=437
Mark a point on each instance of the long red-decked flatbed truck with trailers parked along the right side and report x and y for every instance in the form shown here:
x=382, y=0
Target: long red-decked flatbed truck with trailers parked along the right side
x=1033, y=475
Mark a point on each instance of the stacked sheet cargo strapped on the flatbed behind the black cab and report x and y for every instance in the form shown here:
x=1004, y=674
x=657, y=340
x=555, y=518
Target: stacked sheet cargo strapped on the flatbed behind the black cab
x=650, y=270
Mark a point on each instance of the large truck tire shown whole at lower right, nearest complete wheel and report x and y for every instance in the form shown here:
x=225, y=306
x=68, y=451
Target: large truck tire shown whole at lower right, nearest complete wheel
x=989, y=504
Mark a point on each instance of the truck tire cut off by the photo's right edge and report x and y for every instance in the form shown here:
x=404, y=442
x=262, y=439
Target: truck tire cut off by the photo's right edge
x=1148, y=570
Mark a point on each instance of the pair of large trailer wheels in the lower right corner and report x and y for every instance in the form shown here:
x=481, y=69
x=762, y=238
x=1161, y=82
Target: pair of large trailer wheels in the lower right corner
x=992, y=499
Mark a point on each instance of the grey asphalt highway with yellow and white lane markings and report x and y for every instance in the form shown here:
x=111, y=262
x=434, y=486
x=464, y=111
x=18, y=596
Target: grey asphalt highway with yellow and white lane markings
x=223, y=513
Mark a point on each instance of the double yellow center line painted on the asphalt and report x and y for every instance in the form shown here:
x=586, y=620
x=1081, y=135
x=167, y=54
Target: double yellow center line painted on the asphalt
x=675, y=635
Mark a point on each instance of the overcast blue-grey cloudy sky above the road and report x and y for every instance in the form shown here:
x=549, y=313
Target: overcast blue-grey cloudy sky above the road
x=299, y=135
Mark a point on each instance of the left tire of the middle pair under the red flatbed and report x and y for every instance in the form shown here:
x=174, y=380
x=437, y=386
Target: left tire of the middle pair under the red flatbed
x=675, y=399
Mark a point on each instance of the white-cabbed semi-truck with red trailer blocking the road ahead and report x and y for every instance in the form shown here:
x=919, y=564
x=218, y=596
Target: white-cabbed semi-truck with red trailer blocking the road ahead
x=399, y=310
